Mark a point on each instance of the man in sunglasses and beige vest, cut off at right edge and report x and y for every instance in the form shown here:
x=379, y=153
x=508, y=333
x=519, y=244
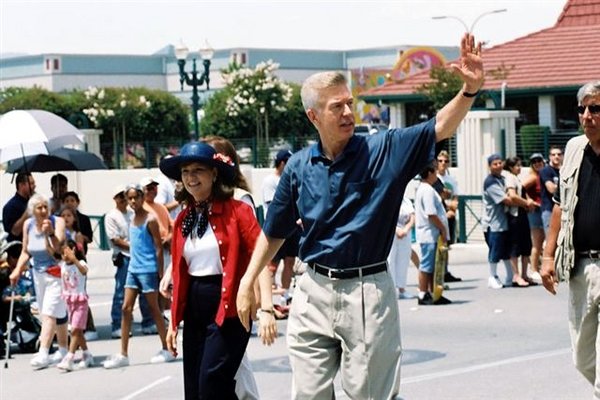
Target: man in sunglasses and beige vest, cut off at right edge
x=572, y=251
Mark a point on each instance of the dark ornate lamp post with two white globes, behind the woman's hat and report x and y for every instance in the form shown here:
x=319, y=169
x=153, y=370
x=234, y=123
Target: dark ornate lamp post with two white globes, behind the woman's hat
x=181, y=52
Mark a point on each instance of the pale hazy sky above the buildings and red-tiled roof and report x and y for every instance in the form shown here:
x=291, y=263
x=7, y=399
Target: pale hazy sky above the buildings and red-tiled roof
x=143, y=27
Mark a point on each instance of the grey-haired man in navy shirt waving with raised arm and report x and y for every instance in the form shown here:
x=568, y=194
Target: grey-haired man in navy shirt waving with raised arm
x=346, y=190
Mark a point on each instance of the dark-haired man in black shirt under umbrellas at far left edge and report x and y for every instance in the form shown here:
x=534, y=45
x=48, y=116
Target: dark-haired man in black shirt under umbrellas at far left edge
x=14, y=212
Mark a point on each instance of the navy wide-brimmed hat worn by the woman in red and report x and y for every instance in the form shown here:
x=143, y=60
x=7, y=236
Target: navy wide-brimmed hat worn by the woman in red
x=202, y=153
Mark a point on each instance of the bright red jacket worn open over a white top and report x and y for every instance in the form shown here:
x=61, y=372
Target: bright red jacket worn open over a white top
x=236, y=230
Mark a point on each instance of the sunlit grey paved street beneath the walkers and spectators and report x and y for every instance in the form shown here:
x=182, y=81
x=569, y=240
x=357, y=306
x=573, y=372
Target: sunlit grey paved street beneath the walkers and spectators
x=506, y=344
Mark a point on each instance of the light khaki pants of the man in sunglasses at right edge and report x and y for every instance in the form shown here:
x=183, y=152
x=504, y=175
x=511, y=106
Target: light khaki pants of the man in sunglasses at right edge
x=584, y=315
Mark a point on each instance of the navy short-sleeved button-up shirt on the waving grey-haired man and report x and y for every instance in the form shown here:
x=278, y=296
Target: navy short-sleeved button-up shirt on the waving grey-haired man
x=349, y=206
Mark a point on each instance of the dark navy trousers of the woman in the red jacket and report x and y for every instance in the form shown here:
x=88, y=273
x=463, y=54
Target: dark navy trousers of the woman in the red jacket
x=211, y=354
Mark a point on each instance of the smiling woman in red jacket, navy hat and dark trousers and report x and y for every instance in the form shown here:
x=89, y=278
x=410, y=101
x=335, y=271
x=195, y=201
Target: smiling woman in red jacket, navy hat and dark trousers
x=213, y=240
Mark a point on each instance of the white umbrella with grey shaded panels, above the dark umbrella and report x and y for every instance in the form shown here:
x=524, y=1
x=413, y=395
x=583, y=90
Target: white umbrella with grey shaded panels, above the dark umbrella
x=30, y=132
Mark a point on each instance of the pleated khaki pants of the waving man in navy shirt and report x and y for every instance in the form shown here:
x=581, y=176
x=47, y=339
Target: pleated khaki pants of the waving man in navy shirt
x=351, y=325
